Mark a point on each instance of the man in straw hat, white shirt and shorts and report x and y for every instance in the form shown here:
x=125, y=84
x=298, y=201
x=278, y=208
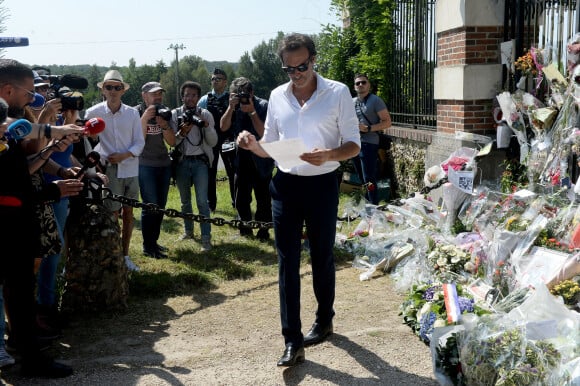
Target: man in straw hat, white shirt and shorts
x=120, y=145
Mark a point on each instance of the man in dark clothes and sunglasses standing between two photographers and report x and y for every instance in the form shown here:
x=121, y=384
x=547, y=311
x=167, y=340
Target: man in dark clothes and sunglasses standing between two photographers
x=216, y=102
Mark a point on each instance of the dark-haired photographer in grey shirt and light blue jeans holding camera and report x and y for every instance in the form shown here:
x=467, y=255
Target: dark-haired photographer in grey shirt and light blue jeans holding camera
x=195, y=139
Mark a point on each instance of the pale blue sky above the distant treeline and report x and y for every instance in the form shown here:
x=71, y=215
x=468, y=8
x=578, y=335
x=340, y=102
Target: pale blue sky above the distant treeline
x=104, y=31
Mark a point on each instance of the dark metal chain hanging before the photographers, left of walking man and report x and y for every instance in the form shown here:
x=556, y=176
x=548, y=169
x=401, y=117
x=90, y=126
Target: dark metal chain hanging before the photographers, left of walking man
x=218, y=221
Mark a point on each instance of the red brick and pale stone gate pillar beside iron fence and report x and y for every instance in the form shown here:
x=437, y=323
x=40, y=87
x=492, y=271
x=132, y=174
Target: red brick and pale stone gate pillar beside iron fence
x=468, y=73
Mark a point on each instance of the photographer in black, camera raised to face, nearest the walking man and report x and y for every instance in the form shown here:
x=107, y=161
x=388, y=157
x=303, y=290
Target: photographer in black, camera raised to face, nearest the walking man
x=246, y=112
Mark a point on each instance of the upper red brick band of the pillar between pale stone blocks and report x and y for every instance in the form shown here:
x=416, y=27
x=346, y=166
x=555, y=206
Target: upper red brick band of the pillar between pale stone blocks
x=469, y=45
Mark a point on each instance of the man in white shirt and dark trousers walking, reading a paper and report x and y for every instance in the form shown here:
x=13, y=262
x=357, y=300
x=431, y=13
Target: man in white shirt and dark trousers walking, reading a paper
x=320, y=112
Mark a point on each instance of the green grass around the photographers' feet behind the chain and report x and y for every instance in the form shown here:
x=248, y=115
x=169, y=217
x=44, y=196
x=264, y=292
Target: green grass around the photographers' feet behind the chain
x=188, y=269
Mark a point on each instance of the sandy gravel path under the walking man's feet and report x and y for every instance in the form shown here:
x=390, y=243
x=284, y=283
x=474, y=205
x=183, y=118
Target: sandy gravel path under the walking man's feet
x=231, y=336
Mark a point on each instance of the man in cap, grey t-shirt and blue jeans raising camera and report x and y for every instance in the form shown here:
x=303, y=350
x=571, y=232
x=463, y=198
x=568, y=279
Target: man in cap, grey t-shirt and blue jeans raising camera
x=154, y=165
